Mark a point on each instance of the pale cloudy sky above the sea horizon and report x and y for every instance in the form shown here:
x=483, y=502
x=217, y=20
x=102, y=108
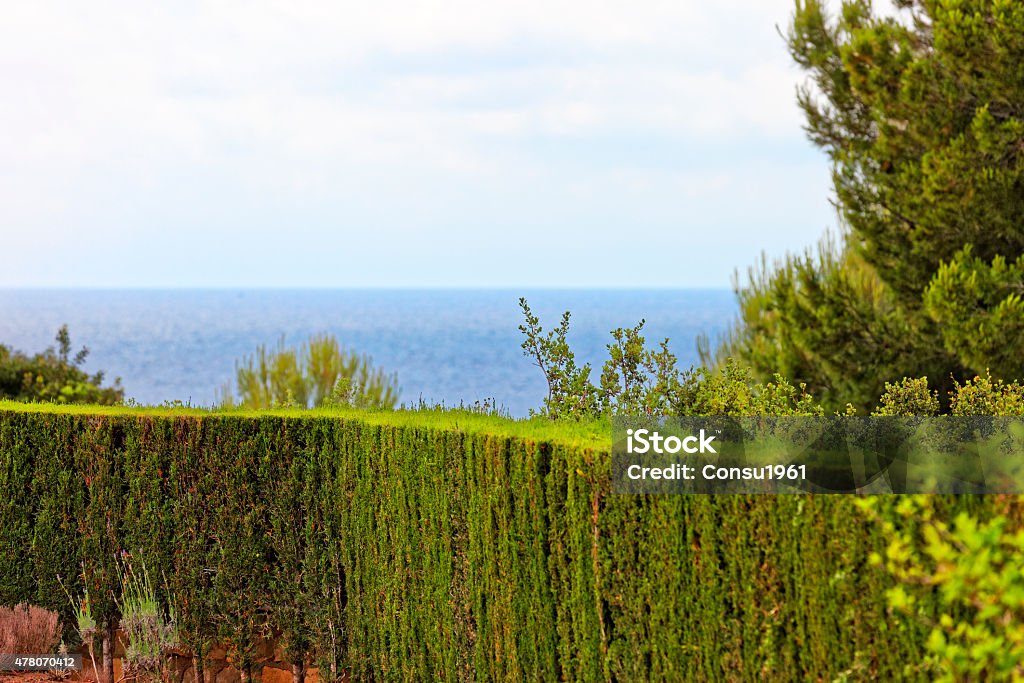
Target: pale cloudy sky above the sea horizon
x=398, y=144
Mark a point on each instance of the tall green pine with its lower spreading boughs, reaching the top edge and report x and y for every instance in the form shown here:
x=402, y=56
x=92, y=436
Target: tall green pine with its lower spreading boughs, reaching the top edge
x=922, y=117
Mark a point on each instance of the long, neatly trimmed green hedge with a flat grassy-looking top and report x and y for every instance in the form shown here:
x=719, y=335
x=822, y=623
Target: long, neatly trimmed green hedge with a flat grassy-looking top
x=424, y=546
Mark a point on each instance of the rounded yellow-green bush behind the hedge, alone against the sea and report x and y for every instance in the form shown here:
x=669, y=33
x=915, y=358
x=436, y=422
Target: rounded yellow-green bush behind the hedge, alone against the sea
x=319, y=373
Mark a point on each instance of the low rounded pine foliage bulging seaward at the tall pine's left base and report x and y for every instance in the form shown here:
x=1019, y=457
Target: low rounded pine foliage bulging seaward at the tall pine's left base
x=825, y=320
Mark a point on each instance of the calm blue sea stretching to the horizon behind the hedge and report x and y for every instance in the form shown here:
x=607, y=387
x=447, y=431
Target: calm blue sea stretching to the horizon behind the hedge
x=446, y=346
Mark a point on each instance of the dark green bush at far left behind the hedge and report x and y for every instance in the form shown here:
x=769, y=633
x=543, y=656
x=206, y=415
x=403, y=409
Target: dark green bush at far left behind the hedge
x=55, y=376
